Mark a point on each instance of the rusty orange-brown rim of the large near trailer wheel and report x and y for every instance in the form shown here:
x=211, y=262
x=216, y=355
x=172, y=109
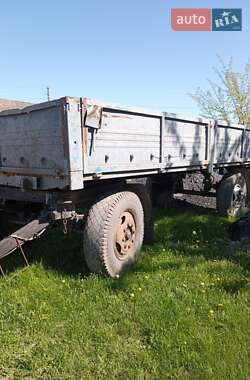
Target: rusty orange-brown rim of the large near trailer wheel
x=125, y=235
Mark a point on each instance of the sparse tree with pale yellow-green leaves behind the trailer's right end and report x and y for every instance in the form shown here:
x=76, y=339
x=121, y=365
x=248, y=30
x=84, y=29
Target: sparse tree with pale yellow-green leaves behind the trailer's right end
x=228, y=98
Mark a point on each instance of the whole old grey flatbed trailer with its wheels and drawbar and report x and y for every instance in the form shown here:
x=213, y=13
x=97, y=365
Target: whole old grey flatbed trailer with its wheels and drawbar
x=112, y=161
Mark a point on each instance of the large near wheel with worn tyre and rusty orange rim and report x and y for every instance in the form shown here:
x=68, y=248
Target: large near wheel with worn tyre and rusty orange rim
x=113, y=234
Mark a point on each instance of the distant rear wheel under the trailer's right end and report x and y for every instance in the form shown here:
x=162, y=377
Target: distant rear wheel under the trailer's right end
x=231, y=195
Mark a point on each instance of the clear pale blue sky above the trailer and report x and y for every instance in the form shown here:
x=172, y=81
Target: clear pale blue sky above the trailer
x=121, y=51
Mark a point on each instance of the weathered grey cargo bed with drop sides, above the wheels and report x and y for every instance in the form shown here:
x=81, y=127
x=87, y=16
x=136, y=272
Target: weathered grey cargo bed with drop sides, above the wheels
x=63, y=143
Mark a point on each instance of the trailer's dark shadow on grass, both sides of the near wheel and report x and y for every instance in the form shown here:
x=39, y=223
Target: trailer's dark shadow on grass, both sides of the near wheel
x=183, y=230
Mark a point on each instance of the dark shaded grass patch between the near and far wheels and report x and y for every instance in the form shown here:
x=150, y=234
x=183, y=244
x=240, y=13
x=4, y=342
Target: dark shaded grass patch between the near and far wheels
x=193, y=231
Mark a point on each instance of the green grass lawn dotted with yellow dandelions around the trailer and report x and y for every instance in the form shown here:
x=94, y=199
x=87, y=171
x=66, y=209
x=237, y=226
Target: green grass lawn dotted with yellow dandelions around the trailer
x=182, y=313
